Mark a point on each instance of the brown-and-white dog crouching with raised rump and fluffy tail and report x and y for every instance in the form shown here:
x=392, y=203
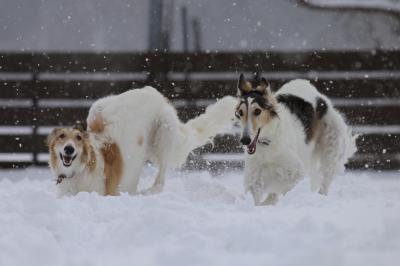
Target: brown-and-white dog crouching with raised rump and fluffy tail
x=124, y=131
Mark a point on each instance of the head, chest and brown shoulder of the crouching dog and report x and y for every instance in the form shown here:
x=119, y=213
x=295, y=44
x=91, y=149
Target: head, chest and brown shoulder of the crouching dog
x=82, y=163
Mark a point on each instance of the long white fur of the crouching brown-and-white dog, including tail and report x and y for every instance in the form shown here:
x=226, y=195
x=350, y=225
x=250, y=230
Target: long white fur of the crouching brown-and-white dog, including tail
x=144, y=114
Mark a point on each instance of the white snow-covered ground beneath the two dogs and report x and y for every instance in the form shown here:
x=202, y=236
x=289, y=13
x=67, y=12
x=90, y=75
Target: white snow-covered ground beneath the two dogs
x=200, y=220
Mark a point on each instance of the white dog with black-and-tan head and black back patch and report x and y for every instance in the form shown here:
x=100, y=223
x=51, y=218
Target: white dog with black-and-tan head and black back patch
x=290, y=134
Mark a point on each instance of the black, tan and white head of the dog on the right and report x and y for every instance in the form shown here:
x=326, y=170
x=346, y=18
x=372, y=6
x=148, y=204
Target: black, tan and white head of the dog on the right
x=255, y=110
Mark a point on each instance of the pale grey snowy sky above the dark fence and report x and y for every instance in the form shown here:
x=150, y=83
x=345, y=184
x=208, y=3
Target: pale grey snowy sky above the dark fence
x=122, y=25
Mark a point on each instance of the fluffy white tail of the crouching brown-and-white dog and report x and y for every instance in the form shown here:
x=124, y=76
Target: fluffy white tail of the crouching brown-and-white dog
x=217, y=118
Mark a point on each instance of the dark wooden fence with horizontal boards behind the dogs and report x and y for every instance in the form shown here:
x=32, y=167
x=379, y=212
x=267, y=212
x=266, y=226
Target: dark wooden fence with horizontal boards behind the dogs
x=40, y=91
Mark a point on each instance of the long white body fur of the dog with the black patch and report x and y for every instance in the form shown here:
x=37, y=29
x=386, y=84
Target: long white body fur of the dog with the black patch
x=275, y=169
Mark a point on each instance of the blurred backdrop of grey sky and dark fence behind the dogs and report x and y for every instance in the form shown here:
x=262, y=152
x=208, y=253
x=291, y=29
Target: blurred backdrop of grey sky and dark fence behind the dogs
x=57, y=57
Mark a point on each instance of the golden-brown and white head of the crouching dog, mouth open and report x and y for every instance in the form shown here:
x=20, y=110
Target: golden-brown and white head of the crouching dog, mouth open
x=68, y=149
